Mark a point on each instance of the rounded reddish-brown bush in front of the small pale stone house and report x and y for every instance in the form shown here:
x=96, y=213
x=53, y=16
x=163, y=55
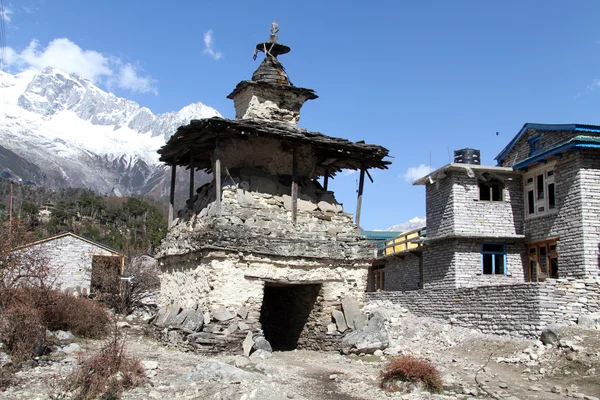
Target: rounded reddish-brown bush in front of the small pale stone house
x=81, y=316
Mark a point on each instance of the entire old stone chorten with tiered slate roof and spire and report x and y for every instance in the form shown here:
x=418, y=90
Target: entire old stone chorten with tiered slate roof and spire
x=264, y=247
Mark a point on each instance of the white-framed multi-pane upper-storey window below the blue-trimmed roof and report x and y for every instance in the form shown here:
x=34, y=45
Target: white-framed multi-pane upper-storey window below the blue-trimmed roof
x=540, y=190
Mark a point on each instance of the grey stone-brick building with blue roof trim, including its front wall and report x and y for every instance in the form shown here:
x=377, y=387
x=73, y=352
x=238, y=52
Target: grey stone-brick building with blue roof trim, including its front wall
x=526, y=229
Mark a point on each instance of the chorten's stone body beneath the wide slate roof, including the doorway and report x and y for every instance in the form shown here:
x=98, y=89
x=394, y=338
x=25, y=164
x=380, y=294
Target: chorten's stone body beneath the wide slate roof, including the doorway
x=286, y=279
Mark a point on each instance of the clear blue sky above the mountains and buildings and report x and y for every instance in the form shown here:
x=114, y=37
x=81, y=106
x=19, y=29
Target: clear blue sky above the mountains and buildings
x=420, y=78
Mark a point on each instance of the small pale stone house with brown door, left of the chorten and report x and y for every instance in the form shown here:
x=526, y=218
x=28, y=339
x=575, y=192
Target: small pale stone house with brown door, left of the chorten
x=74, y=262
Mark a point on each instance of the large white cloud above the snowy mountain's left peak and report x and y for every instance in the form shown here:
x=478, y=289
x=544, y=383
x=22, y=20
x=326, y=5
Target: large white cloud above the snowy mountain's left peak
x=69, y=57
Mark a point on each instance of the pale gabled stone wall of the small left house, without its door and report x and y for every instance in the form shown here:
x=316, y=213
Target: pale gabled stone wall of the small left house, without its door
x=71, y=261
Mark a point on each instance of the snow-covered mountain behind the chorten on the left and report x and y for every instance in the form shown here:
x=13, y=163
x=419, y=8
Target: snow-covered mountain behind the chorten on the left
x=60, y=130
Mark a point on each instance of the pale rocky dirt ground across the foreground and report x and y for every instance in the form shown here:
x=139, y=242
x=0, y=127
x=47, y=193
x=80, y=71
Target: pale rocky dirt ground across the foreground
x=473, y=365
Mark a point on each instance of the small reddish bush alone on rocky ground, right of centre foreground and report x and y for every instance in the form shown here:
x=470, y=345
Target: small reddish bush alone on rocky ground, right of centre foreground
x=407, y=368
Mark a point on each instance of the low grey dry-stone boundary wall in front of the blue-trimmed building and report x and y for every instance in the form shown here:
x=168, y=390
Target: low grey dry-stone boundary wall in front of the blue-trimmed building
x=519, y=309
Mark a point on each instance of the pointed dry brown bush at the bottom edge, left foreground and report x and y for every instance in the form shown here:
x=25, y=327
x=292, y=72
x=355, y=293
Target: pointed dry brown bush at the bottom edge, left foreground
x=107, y=373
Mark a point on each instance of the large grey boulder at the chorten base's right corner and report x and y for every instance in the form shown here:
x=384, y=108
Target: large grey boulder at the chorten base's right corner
x=368, y=339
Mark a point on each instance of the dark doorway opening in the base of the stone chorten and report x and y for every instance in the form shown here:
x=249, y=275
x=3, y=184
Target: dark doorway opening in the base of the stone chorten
x=285, y=312
